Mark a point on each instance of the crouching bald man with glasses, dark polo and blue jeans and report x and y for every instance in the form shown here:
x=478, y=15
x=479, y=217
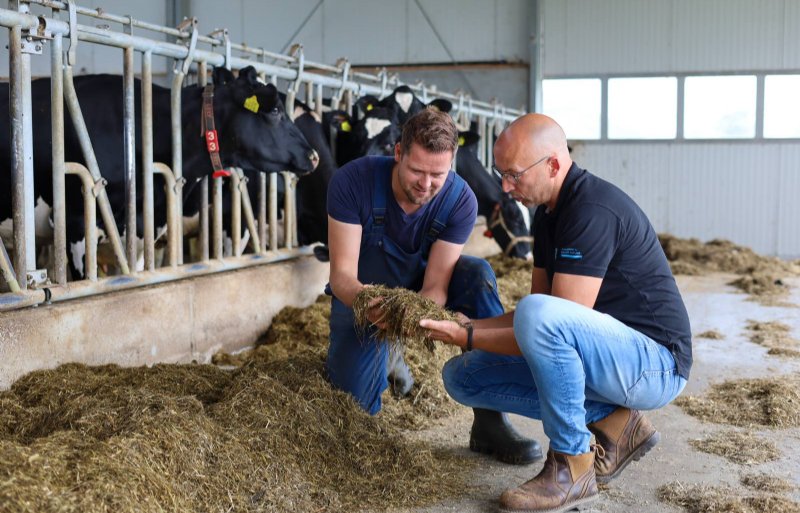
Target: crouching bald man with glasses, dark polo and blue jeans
x=603, y=335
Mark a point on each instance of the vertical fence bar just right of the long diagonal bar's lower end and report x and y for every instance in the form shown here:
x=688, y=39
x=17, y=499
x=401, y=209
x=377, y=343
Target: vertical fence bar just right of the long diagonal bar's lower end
x=147, y=160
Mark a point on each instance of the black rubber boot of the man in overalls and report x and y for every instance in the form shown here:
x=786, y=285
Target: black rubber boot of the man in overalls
x=493, y=434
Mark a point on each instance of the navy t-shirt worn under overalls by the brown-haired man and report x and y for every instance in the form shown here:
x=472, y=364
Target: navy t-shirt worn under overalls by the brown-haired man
x=350, y=201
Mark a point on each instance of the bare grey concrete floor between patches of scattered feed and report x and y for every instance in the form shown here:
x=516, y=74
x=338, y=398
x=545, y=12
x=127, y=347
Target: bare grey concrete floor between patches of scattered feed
x=712, y=305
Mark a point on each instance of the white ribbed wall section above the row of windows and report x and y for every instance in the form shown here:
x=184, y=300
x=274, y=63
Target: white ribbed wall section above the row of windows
x=653, y=36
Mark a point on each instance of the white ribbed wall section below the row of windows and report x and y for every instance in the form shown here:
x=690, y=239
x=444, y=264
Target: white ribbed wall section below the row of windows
x=738, y=191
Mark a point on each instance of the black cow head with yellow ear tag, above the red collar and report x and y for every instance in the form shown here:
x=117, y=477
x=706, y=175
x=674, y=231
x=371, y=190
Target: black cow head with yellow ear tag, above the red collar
x=254, y=131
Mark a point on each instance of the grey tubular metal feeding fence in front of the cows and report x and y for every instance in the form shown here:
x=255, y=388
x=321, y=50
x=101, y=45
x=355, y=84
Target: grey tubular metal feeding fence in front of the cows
x=191, y=53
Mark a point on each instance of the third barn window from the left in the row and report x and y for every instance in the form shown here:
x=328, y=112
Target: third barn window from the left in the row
x=720, y=107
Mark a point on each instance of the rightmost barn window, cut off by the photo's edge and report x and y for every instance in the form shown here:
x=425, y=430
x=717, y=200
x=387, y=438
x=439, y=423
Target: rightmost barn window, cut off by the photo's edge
x=781, y=106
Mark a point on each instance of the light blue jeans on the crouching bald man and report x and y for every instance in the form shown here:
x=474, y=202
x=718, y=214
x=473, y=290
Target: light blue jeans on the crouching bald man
x=577, y=366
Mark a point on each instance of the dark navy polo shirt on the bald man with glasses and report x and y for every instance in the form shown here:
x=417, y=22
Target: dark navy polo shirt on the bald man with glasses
x=598, y=230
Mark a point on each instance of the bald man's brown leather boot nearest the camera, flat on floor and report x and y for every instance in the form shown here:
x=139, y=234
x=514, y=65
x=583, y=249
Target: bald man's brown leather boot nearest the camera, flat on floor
x=566, y=482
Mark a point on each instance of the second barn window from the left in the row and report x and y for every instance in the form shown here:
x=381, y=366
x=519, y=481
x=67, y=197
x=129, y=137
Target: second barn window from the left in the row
x=642, y=108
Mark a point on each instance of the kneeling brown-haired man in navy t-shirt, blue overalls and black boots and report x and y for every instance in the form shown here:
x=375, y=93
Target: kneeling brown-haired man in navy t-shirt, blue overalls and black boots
x=402, y=222
